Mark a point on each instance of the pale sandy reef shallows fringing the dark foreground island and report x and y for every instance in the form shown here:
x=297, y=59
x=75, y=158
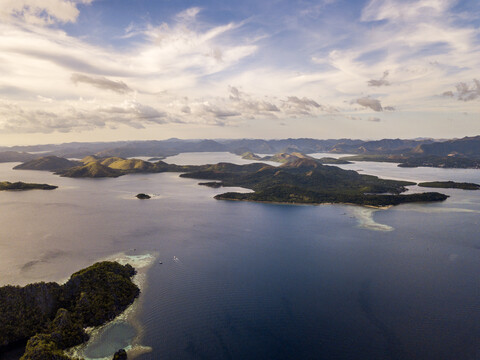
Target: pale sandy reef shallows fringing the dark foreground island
x=129, y=317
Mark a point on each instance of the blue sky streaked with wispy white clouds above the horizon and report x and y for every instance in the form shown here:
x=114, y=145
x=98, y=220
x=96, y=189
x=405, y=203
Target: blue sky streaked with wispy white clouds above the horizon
x=107, y=70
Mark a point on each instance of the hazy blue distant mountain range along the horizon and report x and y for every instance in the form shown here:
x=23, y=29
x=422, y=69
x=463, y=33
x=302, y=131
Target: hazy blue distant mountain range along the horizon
x=419, y=152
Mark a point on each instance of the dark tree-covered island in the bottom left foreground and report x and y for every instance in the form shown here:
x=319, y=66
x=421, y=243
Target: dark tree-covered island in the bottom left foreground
x=53, y=317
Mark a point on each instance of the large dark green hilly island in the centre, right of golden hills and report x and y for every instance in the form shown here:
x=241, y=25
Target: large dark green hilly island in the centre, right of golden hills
x=306, y=181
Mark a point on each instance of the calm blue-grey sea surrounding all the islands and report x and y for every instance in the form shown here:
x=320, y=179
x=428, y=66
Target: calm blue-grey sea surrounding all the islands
x=243, y=280
